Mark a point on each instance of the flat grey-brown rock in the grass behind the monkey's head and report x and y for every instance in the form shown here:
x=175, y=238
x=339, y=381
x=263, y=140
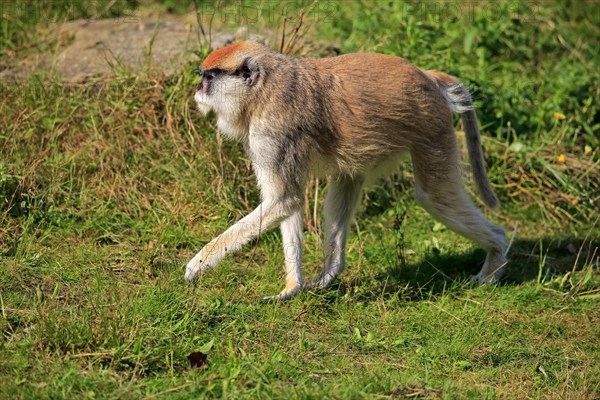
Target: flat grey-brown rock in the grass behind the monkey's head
x=100, y=47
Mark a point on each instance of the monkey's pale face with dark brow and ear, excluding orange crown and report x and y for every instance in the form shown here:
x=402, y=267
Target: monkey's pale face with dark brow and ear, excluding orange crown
x=225, y=92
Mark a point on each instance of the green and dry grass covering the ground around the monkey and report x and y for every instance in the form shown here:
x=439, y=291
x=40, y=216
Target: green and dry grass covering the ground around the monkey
x=107, y=189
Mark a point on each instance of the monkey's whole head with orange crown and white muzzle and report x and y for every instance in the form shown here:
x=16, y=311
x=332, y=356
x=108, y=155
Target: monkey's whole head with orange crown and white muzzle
x=229, y=76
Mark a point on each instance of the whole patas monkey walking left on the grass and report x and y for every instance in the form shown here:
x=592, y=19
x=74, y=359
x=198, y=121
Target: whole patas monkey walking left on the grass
x=347, y=117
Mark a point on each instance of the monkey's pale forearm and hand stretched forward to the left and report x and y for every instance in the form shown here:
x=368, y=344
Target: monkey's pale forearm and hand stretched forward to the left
x=264, y=217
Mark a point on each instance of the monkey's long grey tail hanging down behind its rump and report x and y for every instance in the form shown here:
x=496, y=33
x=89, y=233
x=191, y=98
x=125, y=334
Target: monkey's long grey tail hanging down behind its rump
x=459, y=99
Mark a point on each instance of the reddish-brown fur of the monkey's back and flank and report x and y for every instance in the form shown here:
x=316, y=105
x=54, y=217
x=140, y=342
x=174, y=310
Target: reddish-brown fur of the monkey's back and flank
x=381, y=105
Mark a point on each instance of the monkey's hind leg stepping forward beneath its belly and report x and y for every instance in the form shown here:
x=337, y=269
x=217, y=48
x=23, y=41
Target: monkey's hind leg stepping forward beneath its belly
x=342, y=198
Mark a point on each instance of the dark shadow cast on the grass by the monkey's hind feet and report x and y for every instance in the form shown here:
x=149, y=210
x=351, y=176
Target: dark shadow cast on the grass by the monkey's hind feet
x=437, y=273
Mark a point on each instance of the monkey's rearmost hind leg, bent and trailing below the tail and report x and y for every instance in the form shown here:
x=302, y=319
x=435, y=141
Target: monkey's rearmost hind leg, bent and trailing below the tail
x=440, y=190
